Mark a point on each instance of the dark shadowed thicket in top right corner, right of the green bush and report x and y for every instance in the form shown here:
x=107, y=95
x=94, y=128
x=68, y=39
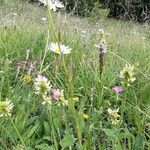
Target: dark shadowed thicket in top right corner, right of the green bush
x=138, y=10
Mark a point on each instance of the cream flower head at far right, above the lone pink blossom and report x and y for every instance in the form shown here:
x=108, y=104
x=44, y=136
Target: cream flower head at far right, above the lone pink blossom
x=127, y=74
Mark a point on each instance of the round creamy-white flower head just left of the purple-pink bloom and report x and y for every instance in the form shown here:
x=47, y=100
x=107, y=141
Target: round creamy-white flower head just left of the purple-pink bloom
x=42, y=85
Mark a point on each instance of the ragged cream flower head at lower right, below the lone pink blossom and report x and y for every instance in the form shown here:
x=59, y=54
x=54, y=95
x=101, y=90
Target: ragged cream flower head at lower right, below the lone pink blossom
x=114, y=116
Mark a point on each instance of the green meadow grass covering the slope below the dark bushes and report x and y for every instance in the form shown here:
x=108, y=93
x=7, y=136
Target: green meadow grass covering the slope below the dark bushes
x=85, y=124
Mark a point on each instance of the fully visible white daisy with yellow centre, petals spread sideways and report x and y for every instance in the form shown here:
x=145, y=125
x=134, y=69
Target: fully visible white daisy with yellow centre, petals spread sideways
x=59, y=49
